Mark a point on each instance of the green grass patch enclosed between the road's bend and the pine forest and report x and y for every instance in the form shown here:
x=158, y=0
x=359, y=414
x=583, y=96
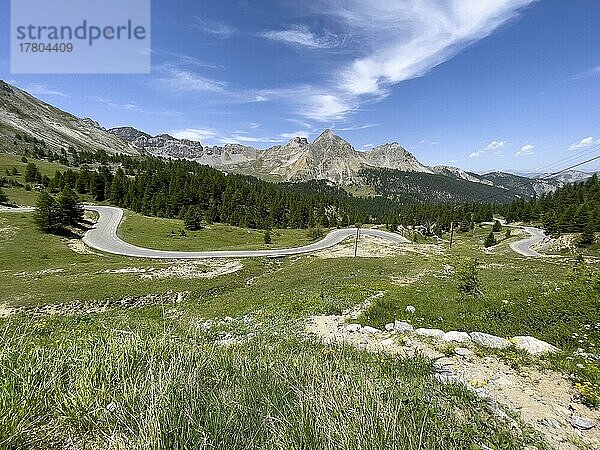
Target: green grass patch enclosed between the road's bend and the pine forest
x=166, y=234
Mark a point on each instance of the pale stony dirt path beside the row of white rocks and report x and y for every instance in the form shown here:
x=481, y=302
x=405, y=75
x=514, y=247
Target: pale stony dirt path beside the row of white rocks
x=545, y=399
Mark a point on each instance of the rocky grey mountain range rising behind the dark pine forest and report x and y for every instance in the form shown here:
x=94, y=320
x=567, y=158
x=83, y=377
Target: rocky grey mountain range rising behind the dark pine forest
x=328, y=157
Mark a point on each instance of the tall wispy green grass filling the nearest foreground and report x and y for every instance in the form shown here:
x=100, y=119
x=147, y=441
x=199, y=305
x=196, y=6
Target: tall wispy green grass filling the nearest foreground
x=152, y=390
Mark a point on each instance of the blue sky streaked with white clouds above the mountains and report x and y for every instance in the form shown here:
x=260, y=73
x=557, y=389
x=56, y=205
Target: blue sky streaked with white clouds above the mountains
x=480, y=84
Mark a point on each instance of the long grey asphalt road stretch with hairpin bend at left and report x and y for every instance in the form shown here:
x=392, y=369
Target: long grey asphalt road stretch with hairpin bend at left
x=104, y=237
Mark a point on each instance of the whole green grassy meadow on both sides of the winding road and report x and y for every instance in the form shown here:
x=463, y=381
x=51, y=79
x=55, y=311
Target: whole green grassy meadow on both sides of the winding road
x=155, y=376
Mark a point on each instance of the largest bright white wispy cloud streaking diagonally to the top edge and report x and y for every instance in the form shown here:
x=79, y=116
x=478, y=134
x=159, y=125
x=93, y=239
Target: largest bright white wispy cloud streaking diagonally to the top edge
x=402, y=40
